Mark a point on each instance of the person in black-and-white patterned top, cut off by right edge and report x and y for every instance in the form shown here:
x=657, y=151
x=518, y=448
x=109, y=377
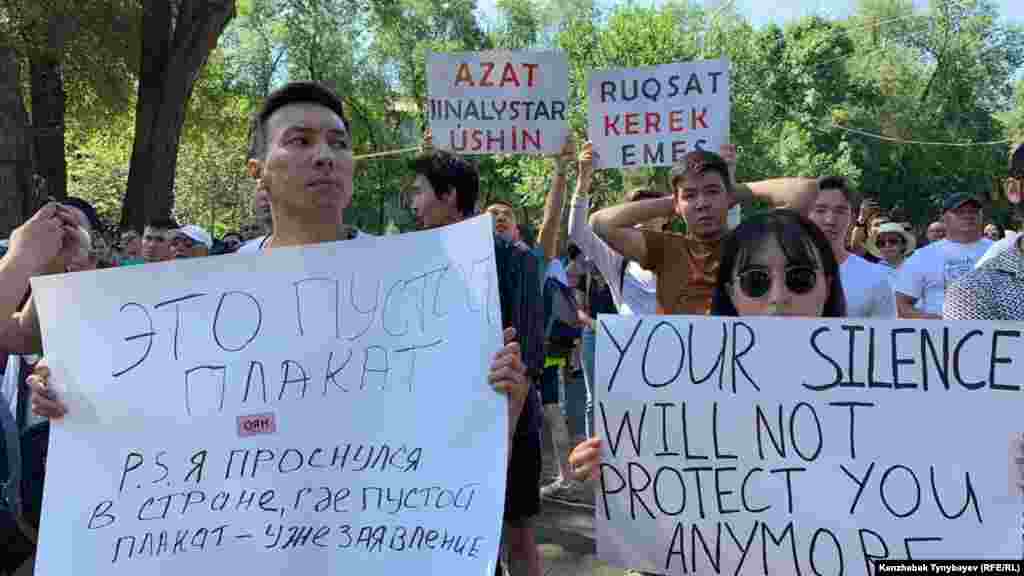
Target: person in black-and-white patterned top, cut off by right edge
x=996, y=290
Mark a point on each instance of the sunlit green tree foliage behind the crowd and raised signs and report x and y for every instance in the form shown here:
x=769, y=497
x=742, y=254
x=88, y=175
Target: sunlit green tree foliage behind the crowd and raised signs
x=943, y=74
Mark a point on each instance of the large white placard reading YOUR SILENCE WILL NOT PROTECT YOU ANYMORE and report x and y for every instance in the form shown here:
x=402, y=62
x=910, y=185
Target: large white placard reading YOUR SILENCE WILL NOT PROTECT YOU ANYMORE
x=797, y=446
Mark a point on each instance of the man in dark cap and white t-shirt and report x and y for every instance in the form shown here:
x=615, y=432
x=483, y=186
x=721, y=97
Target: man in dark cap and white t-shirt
x=926, y=275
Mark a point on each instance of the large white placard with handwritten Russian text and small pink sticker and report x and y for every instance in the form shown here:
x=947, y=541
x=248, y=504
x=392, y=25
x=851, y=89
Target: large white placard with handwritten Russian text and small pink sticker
x=303, y=412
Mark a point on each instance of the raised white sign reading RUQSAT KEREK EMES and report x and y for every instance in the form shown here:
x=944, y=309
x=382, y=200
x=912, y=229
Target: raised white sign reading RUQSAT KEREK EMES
x=655, y=116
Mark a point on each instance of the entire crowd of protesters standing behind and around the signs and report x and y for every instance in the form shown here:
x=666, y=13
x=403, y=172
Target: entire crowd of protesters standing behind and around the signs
x=821, y=253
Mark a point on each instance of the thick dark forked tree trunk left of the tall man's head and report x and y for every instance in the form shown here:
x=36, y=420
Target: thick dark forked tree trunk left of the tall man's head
x=177, y=40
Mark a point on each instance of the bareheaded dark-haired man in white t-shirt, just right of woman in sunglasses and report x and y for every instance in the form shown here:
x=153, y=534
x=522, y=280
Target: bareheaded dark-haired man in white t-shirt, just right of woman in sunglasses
x=867, y=285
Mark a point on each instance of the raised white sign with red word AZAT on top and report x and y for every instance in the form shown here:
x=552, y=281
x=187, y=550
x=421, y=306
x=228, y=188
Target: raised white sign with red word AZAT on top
x=498, y=103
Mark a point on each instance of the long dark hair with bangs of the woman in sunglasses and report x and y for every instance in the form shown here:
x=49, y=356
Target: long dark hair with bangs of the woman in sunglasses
x=796, y=235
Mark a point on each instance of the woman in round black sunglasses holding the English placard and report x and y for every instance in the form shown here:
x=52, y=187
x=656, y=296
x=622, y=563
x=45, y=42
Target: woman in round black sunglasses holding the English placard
x=777, y=264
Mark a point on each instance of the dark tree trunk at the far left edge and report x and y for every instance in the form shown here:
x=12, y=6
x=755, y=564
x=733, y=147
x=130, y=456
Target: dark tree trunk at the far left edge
x=16, y=164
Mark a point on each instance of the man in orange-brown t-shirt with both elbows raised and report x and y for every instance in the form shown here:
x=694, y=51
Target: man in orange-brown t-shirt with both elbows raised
x=704, y=190
